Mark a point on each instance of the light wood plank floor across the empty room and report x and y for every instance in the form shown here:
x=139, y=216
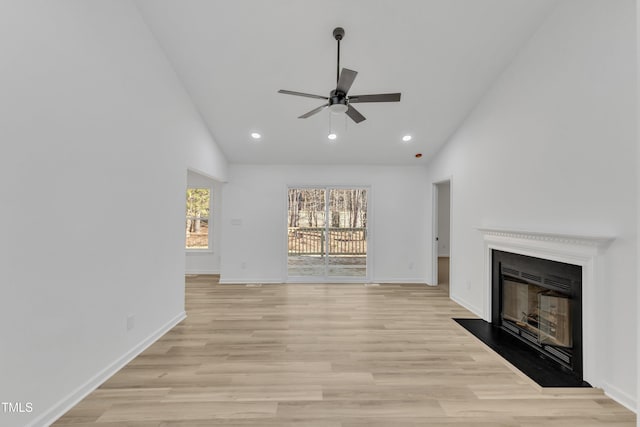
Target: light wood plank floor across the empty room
x=329, y=355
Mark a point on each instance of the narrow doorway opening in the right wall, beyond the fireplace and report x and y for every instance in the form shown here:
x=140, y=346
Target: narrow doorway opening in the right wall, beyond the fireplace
x=442, y=233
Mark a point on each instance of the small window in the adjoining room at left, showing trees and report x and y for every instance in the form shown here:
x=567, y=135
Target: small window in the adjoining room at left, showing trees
x=198, y=211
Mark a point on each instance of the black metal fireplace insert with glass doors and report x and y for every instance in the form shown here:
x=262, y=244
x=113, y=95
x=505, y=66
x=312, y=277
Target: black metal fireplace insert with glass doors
x=539, y=301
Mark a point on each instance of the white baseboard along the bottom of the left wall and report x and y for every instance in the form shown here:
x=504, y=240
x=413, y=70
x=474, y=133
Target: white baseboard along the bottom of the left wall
x=60, y=408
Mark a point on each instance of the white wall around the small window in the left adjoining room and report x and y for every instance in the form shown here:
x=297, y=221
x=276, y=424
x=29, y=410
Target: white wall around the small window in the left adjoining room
x=207, y=261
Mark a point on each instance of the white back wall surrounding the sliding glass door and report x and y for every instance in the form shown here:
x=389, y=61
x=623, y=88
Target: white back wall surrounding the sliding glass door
x=256, y=196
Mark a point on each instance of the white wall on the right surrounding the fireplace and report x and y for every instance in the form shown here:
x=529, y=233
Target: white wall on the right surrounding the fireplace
x=552, y=148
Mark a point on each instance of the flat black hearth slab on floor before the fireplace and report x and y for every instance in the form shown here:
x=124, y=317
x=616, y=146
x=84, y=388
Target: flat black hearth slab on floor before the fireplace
x=543, y=371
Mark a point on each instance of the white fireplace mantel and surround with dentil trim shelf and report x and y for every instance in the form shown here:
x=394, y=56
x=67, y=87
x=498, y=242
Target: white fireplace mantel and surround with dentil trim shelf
x=581, y=250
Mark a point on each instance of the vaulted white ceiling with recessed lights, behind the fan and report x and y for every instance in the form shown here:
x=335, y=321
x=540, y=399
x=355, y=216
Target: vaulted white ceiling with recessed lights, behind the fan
x=443, y=55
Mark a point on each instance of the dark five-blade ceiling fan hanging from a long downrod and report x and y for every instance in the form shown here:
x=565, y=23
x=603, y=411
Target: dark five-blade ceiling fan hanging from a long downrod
x=338, y=100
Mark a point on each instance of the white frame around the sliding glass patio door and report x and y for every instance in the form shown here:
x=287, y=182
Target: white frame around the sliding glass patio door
x=328, y=279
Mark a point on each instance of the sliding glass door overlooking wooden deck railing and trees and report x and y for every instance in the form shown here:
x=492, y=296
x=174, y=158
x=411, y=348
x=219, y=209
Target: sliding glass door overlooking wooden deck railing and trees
x=327, y=234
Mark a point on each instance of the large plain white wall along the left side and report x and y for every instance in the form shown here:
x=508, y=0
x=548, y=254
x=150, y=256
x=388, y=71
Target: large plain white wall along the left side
x=95, y=130
